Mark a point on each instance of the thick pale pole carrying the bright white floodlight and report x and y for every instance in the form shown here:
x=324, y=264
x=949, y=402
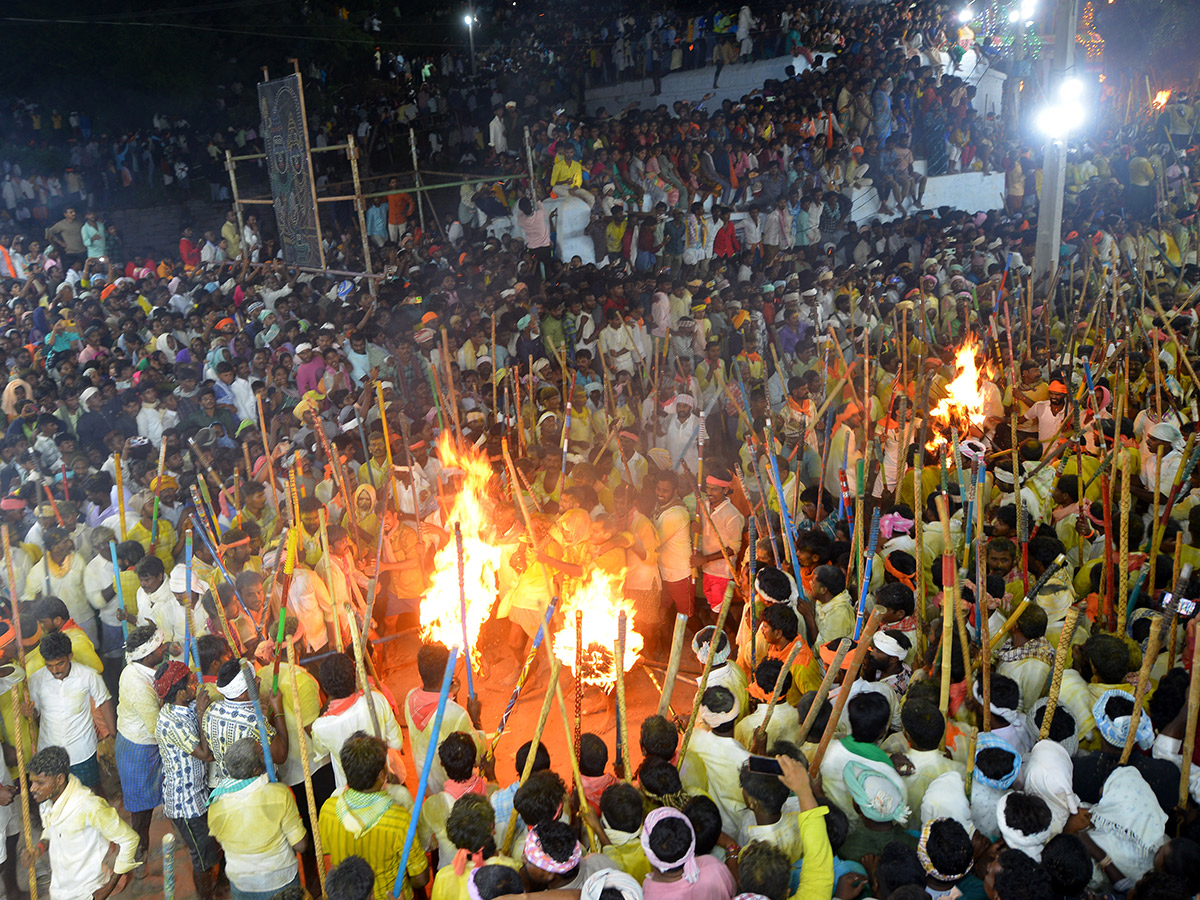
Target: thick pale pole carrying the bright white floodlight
x=1054, y=178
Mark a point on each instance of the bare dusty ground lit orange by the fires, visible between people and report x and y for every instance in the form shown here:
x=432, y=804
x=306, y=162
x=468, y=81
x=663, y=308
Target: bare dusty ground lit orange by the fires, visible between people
x=495, y=688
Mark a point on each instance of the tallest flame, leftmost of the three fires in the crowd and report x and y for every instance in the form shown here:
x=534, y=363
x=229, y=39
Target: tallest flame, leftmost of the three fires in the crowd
x=472, y=509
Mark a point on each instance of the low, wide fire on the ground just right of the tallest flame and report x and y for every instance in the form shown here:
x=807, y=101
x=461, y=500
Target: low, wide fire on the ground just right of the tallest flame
x=602, y=599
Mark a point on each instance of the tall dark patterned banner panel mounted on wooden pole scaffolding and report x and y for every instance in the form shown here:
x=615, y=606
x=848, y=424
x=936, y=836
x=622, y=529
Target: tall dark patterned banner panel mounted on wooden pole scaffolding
x=281, y=104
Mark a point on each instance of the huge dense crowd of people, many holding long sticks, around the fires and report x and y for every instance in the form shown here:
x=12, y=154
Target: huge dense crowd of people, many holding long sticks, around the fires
x=932, y=524
